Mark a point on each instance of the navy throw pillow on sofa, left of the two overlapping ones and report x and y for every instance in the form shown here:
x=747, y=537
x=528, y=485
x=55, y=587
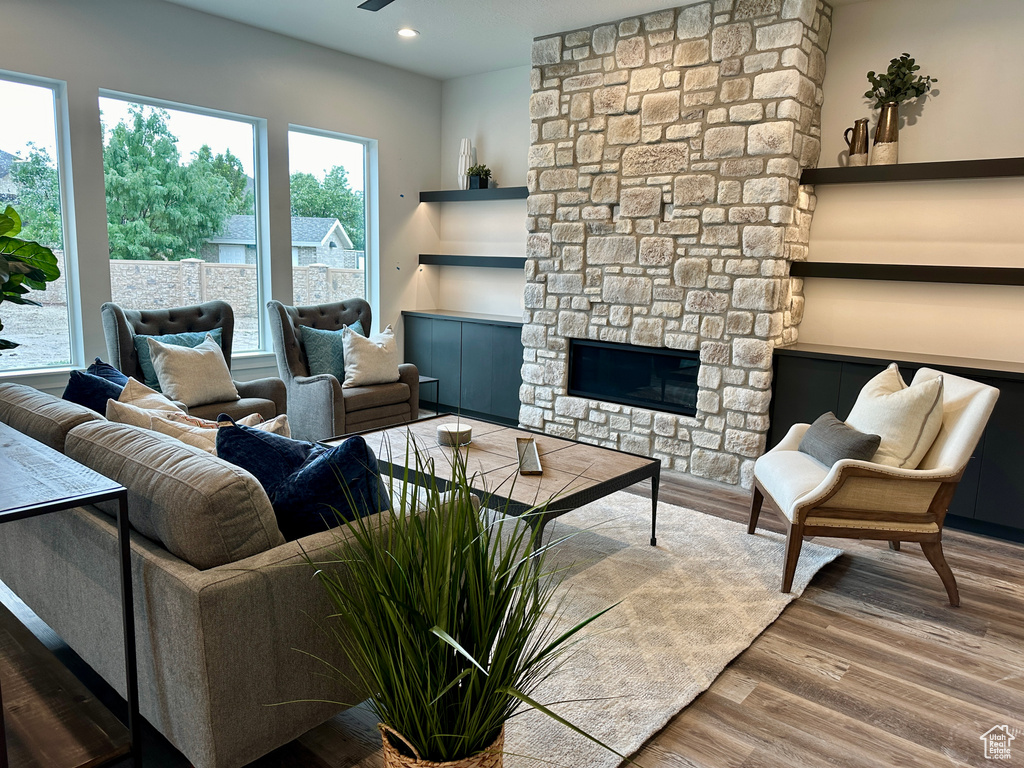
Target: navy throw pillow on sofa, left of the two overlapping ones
x=271, y=458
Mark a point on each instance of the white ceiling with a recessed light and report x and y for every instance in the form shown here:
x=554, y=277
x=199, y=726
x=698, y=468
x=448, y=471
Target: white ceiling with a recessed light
x=457, y=37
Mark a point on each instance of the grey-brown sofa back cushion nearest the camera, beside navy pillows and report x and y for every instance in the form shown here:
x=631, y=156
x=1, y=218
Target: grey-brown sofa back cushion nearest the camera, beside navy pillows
x=202, y=509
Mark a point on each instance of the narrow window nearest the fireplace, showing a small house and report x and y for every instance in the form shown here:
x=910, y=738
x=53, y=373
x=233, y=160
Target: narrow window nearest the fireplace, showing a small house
x=329, y=217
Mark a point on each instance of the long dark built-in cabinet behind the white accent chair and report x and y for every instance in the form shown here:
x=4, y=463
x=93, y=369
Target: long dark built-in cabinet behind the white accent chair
x=810, y=380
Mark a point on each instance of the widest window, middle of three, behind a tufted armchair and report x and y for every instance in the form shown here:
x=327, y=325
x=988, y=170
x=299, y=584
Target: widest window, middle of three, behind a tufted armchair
x=182, y=210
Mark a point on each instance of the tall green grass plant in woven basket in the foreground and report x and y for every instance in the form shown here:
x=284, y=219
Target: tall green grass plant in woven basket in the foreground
x=448, y=614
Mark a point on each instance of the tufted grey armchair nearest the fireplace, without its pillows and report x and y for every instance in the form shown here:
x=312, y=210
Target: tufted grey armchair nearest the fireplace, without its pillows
x=319, y=406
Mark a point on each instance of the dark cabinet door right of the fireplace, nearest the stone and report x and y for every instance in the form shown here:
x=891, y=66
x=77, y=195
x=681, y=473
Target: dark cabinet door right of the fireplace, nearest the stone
x=804, y=389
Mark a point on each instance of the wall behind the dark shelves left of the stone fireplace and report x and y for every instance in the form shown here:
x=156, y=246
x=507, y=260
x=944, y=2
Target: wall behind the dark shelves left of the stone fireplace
x=493, y=111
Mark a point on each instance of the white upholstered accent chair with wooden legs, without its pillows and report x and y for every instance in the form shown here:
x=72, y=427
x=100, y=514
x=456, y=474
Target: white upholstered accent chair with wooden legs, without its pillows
x=862, y=500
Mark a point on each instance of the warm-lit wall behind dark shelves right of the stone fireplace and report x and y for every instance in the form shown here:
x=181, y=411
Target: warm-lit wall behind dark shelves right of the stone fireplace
x=975, y=111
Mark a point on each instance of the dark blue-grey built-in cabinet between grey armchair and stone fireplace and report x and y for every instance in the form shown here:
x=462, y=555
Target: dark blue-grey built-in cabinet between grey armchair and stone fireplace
x=478, y=360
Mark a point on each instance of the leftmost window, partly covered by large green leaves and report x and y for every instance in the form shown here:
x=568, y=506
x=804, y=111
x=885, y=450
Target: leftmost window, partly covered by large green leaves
x=30, y=182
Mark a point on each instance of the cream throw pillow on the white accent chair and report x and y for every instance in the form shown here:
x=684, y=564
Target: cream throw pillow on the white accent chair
x=907, y=418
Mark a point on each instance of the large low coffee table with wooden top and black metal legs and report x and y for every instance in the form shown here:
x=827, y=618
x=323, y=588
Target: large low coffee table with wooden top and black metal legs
x=574, y=474
